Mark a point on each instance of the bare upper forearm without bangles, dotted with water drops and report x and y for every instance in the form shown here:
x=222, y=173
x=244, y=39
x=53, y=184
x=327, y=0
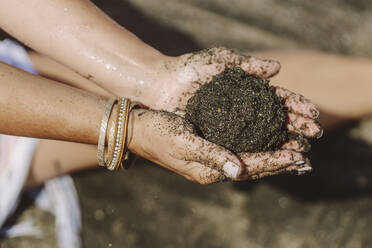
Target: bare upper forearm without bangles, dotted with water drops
x=79, y=35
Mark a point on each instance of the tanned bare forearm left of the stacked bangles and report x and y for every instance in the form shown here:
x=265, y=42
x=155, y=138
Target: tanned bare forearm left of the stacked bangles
x=36, y=107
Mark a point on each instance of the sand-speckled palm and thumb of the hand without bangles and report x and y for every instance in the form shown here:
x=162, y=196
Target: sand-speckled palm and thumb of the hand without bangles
x=182, y=76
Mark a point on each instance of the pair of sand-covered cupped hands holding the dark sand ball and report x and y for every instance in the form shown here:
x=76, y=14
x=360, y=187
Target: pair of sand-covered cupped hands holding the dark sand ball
x=166, y=139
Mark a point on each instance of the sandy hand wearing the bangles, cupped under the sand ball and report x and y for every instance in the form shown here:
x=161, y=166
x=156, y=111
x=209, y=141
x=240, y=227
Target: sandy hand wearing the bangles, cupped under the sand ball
x=167, y=139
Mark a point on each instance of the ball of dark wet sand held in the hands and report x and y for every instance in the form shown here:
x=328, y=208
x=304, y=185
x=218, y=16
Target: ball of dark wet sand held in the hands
x=239, y=112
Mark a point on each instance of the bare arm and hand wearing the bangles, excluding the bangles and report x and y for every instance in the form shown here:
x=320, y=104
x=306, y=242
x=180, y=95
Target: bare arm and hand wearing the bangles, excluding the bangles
x=37, y=107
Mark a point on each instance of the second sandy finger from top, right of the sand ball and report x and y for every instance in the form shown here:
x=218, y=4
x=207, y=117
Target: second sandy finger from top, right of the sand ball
x=304, y=126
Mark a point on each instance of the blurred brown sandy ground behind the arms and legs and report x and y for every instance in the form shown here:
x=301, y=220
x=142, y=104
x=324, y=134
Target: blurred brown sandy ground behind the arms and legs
x=148, y=206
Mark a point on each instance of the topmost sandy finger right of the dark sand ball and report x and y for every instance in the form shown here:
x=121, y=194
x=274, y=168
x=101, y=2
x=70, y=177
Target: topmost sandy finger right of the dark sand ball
x=297, y=103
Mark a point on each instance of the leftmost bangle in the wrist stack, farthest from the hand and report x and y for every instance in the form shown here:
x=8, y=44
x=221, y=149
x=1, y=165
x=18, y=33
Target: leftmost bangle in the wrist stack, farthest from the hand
x=103, y=130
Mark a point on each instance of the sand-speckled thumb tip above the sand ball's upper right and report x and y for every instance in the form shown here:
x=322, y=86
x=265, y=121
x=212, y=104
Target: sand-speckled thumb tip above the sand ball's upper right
x=260, y=67
